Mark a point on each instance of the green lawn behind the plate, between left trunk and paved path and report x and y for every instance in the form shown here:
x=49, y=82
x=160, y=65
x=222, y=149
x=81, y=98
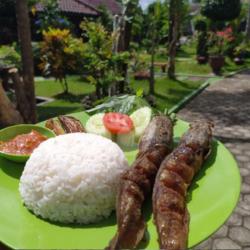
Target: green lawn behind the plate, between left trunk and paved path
x=168, y=93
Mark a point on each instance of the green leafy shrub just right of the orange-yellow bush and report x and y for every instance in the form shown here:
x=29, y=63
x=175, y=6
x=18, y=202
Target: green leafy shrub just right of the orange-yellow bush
x=101, y=63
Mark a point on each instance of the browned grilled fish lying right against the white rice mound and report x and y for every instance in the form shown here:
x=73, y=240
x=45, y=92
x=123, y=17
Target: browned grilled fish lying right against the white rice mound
x=137, y=183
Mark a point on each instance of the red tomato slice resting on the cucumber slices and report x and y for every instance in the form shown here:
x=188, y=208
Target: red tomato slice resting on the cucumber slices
x=118, y=123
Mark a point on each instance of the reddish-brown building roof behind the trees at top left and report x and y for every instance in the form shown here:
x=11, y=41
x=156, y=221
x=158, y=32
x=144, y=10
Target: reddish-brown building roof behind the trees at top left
x=86, y=7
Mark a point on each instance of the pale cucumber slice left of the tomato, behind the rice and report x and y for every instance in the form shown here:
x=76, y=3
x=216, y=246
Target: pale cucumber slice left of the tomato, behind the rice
x=95, y=125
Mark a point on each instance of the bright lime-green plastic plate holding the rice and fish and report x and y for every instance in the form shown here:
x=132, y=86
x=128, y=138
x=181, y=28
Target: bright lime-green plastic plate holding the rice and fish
x=212, y=198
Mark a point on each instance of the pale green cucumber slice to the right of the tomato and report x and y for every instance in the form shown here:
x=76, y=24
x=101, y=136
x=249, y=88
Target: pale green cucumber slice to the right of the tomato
x=141, y=118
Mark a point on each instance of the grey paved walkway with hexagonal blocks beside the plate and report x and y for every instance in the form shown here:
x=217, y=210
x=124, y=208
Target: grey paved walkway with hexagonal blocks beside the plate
x=227, y=103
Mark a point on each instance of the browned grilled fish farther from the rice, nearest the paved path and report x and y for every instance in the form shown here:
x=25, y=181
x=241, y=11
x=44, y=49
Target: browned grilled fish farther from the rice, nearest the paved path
x=172, y=181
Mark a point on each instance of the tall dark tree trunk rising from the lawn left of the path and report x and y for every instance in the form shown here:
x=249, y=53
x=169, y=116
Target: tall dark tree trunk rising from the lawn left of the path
x=174, y=29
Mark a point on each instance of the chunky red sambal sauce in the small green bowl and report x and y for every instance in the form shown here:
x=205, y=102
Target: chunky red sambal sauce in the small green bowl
x=23, y=144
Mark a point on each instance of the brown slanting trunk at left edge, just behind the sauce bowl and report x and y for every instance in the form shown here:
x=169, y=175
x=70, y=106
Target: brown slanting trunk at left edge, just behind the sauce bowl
x=8, y=114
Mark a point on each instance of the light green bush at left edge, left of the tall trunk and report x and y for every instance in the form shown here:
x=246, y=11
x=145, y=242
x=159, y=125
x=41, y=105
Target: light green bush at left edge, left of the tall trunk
x=9, y=57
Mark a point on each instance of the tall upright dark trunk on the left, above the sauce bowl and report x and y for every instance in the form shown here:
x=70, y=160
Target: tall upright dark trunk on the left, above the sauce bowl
x=24, y=34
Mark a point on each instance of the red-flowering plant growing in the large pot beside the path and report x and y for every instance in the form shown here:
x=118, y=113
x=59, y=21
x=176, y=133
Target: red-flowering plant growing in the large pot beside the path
x=218, y=41
